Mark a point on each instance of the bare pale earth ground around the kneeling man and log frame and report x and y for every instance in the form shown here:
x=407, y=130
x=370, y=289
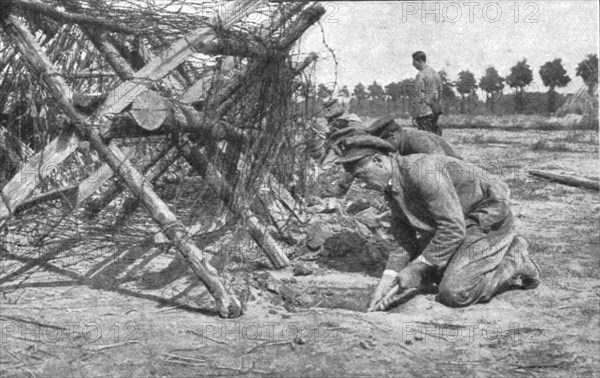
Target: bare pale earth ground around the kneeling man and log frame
x=66, y=329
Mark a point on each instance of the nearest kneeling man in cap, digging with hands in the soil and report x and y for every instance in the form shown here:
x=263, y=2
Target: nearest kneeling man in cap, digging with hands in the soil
x=451, y=218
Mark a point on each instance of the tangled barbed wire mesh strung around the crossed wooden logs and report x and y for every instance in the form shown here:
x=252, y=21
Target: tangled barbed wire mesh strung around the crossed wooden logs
x=267, y=107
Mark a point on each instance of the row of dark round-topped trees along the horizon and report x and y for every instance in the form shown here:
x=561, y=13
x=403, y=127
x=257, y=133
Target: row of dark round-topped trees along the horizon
x=462, y=95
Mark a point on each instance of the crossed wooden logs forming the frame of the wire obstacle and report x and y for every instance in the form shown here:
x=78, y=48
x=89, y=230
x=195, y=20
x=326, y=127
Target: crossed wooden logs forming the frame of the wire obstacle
x=189, y=133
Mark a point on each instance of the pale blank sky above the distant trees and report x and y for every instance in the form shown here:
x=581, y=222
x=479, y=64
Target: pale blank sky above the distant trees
x=375, y=40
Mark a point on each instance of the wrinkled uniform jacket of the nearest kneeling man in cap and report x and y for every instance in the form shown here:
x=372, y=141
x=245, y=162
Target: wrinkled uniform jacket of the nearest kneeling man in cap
x=441, y=199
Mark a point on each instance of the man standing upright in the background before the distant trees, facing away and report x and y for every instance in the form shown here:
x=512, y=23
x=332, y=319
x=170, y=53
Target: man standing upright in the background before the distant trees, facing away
x=427, y=98
